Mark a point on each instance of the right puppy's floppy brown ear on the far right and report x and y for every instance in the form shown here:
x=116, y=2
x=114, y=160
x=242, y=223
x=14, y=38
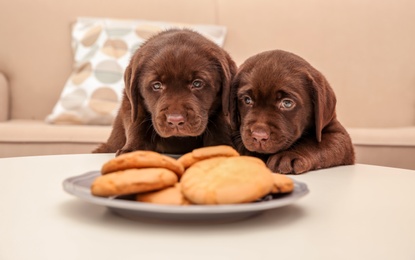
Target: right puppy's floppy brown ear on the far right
x=324, y=101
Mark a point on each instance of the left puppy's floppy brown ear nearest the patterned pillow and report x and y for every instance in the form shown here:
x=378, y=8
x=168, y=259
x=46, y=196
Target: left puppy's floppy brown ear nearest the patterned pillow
x=132, y=91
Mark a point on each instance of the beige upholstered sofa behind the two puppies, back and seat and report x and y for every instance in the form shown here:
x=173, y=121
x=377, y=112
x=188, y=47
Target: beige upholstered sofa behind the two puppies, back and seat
x=365, y=49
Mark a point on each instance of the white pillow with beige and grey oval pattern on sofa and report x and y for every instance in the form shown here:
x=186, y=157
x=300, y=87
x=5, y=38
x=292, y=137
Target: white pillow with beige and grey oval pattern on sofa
x=102, y=50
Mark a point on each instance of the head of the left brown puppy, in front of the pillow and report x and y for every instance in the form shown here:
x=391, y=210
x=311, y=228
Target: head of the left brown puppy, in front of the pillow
x=181, y=79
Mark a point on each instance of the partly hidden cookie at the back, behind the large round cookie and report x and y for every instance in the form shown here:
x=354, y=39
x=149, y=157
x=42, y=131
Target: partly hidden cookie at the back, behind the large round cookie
x=203, y=153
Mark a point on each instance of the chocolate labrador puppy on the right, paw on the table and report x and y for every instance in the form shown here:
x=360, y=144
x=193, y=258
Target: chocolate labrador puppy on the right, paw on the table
x=283, y=111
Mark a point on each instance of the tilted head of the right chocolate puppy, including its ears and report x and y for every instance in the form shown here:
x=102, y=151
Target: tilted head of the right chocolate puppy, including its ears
x=276, y=97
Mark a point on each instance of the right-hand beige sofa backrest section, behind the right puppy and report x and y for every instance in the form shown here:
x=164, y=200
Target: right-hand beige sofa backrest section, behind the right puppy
x=365, y=48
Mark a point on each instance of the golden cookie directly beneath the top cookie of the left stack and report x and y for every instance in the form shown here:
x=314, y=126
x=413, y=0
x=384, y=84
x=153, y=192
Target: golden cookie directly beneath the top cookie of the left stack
x=133, y=181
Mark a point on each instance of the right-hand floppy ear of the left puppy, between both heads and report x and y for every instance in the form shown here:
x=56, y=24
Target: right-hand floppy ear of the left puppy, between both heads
x=228, y=68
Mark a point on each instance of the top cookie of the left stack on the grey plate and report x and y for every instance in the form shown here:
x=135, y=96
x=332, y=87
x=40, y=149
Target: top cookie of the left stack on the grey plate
x=142, y=159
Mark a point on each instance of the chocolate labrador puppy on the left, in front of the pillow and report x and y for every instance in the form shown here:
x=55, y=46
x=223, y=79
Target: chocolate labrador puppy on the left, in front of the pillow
x=175, y=98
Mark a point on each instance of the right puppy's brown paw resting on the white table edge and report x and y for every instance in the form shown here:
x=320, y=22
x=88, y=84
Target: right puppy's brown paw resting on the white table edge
x=289, y=162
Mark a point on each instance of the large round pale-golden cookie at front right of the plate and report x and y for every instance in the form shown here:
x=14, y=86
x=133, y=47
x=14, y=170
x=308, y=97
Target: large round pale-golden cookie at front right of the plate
x=226, y=180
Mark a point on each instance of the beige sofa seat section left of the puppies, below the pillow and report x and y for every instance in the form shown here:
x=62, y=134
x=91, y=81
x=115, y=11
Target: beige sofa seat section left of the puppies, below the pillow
x=35, y=137
